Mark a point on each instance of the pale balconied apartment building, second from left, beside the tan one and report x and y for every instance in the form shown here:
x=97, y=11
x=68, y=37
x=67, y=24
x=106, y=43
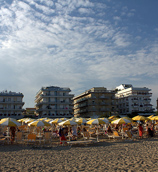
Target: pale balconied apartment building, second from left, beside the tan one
x=54, y=102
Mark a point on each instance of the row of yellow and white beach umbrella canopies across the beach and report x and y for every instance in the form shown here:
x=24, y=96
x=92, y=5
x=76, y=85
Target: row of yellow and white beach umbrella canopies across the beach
x=73, y=121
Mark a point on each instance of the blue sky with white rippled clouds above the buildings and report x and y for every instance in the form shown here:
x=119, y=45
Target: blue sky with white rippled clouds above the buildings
x=78, y=44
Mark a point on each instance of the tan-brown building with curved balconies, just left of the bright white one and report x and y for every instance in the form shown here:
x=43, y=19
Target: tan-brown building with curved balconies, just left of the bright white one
x=95, y=102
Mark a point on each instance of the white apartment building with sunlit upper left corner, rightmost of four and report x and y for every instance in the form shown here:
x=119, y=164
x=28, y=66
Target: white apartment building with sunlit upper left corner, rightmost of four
x=133, y=99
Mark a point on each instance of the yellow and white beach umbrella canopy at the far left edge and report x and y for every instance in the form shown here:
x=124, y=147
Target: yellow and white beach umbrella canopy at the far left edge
x=10, y=122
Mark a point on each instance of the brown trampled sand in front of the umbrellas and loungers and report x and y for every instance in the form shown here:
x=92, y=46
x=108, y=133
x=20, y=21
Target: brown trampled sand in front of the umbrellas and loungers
x=131, y=156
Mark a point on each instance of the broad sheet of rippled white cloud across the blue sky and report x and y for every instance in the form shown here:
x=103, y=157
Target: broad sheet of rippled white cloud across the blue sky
x=43, y=43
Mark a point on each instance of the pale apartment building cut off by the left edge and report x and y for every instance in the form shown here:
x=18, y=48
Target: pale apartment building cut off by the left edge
x=11, y=105
